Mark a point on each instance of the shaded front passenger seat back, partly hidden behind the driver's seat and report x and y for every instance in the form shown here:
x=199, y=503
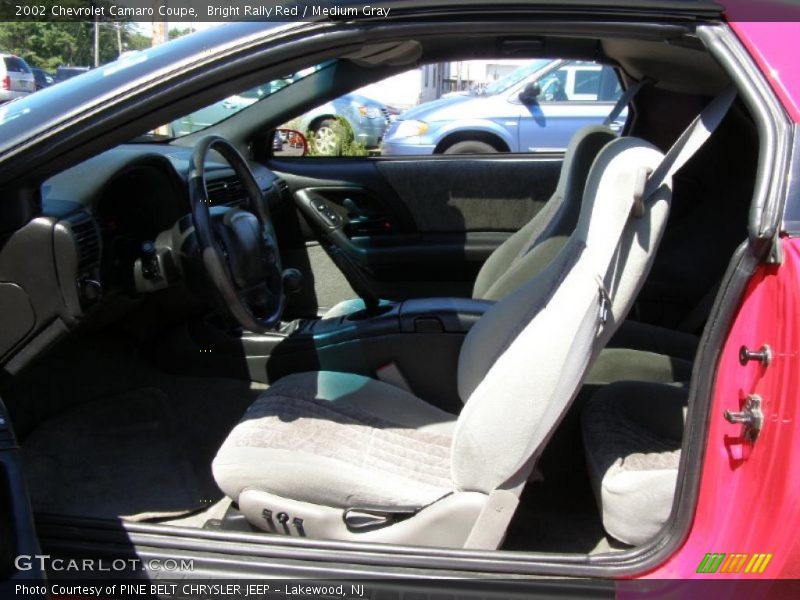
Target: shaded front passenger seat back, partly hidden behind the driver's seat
x=526, y=253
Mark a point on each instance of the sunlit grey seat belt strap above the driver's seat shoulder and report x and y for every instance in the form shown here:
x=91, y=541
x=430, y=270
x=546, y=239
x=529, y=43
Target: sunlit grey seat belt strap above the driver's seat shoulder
x=690, y=141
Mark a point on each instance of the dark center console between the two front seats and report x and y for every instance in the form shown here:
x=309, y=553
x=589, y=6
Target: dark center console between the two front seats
x=421, y=337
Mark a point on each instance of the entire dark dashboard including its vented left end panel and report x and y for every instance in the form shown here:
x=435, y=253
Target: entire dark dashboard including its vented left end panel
x=95, y=218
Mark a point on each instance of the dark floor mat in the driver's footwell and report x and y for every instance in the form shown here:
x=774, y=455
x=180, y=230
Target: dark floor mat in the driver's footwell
x=120, y=456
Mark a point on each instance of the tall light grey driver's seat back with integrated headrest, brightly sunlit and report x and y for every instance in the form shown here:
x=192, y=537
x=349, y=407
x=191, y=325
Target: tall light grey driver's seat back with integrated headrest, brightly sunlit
x=522, y=363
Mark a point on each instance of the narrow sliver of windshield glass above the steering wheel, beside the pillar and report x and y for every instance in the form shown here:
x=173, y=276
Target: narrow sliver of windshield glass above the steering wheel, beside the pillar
x=224, y=109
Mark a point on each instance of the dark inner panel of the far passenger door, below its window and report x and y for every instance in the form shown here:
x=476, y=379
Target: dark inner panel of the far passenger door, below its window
x=411, y=227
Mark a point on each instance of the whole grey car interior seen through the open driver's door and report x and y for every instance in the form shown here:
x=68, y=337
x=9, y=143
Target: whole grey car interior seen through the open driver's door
x=473, y=351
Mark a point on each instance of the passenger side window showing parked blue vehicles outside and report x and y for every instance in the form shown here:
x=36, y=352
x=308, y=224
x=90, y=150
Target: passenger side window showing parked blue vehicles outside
x=463, y=107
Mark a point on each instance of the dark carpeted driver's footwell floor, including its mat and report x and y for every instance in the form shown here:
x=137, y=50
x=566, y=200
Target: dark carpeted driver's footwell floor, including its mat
x=104, y=434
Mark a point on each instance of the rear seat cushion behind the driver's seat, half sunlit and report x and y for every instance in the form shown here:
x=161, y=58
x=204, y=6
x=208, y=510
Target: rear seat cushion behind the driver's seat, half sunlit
x=632, y=435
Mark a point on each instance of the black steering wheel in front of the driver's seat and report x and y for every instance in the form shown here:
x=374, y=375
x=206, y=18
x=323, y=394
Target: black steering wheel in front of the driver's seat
x=238, y=247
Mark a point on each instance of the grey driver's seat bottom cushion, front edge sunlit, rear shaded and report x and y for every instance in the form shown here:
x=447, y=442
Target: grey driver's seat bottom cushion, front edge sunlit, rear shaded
x=339, y=440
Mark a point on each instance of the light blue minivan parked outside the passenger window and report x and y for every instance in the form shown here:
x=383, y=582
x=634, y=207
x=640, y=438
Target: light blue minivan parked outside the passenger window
x=534, y=108
